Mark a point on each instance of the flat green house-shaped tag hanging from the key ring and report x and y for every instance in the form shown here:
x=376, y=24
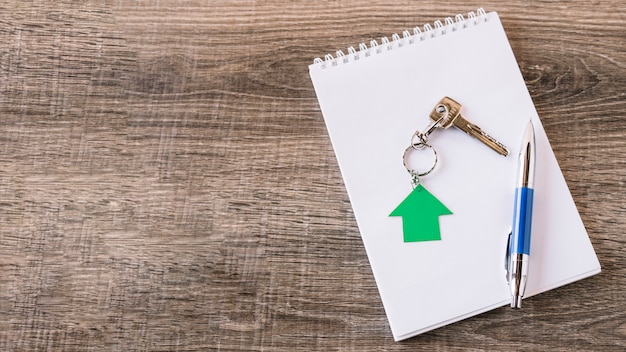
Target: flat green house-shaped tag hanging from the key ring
x=420, y=212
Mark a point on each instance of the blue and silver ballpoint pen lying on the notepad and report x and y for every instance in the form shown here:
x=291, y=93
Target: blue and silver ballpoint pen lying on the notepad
x=519, y=245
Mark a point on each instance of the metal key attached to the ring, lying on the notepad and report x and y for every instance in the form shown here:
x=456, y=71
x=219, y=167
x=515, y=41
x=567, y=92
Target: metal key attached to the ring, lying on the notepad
x=448, y=113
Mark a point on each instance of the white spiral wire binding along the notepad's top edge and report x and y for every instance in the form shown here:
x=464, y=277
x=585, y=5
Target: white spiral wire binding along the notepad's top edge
x=429, y=31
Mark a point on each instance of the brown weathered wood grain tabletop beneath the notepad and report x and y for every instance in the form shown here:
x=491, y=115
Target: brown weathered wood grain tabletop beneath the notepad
x=167, y=182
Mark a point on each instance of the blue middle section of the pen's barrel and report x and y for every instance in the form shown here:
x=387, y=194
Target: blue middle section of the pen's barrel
x=522, y=220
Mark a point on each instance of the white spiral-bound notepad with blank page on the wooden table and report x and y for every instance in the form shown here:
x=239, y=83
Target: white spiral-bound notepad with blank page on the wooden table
x=373, y=97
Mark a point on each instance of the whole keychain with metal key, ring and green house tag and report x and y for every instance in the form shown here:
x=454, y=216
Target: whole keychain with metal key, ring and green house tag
x=420, y=210
